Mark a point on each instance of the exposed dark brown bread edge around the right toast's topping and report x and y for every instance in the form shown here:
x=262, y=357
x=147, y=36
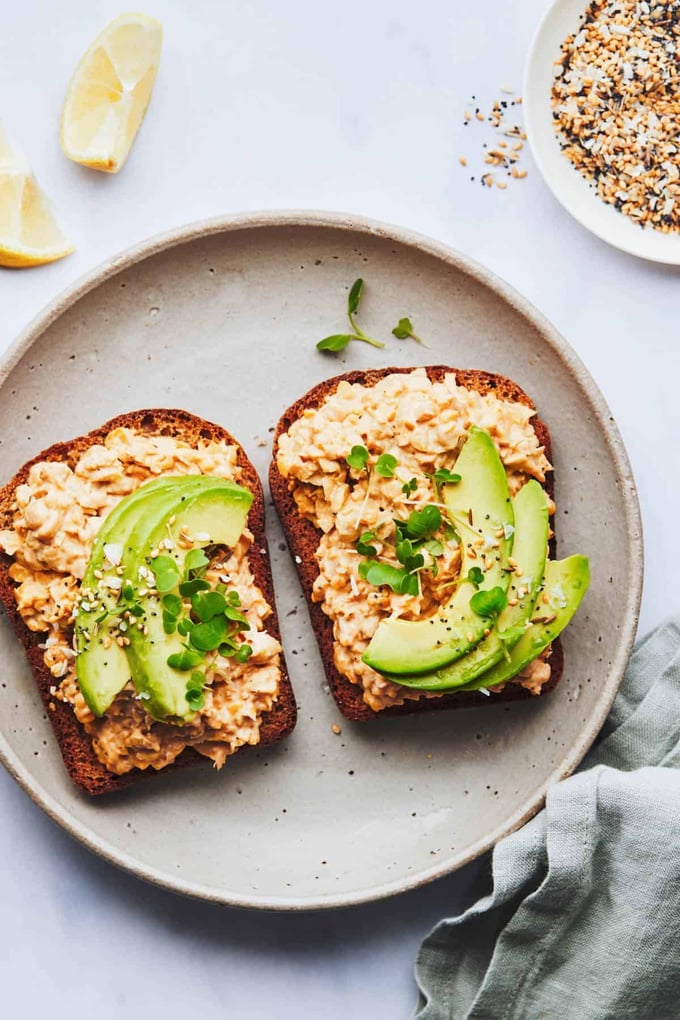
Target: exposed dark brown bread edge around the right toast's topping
x=303, y=541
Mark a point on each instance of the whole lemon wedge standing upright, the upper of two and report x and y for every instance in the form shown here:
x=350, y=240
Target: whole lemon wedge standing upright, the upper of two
x=110, y=93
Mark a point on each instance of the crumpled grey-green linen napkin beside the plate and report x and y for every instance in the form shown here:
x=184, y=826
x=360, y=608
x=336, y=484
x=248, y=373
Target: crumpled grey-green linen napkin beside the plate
x=584, y=920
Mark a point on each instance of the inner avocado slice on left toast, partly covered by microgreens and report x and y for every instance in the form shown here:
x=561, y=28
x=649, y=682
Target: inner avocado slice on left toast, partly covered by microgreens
x=214, y=515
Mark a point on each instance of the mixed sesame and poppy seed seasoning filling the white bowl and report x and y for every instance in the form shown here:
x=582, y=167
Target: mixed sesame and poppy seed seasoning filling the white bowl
x=616, y=107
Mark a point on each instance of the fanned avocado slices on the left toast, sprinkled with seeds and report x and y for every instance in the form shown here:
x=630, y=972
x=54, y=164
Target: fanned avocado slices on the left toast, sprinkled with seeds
x=214, y=512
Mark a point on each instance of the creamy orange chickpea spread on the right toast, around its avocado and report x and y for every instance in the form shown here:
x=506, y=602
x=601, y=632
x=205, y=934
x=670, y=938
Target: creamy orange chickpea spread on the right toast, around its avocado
x=422, y=424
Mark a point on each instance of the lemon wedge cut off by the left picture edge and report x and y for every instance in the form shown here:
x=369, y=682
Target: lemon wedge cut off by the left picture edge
x=29, y=233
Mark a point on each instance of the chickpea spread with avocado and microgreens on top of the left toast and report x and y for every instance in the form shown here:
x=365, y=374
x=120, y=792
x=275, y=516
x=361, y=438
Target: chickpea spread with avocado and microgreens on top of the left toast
x=93, y=600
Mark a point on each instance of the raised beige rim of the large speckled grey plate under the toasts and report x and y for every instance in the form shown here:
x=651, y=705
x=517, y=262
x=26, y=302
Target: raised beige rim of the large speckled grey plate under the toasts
x=444, y=253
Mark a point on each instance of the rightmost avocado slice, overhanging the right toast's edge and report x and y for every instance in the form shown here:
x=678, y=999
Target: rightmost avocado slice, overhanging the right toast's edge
x=565, y=585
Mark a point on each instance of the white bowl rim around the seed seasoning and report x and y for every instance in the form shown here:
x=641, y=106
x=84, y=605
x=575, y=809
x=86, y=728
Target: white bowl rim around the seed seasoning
x=574, y=192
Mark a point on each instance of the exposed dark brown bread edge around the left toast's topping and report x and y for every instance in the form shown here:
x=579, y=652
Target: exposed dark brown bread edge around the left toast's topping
x=83, y=766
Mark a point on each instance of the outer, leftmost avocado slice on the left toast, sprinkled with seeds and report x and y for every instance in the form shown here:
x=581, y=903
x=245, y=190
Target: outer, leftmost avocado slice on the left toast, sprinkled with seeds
x=102, y=668
